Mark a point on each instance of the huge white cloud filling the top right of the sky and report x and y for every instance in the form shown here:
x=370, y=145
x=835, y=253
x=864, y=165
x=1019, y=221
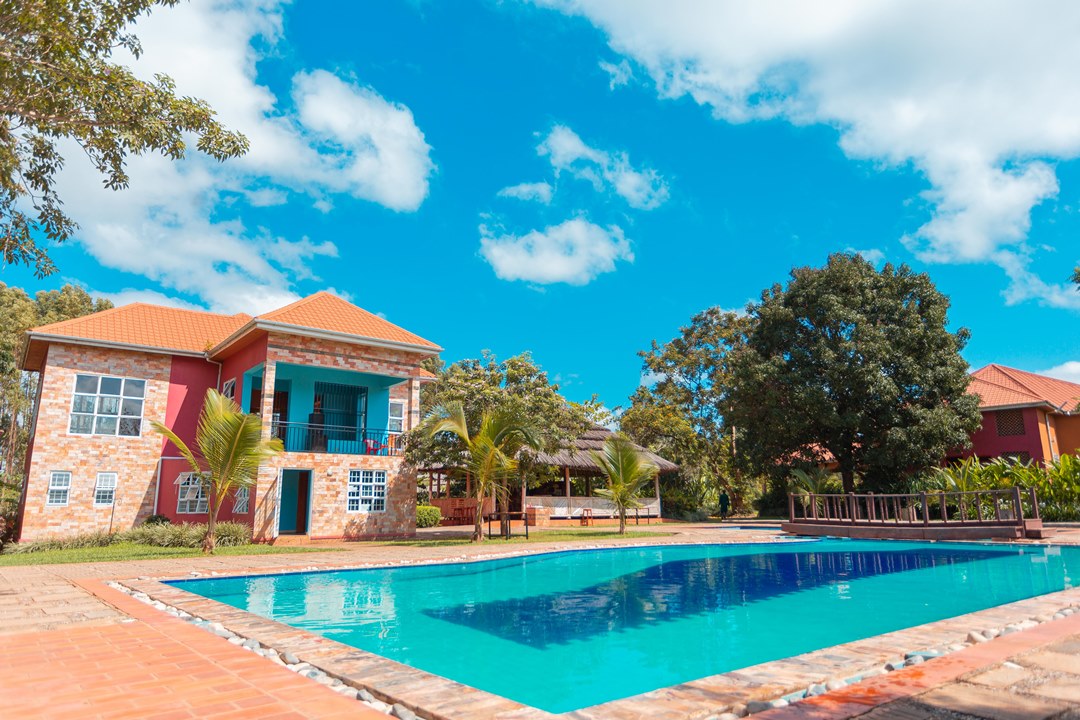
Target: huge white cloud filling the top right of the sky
x=978, y=97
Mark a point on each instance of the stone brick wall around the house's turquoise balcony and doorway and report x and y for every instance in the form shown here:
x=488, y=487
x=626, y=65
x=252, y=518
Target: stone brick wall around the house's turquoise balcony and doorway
x=330, y=473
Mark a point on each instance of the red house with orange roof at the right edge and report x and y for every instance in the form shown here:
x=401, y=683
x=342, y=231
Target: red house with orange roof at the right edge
x=1025, y=416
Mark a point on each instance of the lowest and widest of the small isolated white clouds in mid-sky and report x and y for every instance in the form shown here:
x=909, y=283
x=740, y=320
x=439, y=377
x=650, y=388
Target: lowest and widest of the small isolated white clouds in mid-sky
x=574, y=252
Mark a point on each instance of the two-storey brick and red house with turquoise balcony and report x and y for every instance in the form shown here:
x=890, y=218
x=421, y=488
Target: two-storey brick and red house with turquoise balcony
x=339, y=386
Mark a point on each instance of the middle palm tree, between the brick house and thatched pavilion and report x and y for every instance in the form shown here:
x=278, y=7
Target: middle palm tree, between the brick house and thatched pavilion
x=490, y=455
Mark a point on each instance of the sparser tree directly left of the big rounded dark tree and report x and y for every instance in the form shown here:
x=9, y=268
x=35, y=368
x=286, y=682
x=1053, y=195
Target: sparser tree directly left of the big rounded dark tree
x=681, y=415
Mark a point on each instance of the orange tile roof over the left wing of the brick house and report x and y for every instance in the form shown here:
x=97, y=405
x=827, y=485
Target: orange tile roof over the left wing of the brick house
x=151, y=327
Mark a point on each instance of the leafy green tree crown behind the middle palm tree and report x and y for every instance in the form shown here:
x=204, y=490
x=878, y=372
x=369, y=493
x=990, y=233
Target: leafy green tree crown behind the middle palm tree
x=516, y=388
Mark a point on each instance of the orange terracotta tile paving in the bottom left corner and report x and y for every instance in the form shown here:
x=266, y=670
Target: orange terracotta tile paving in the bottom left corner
x=154, y=668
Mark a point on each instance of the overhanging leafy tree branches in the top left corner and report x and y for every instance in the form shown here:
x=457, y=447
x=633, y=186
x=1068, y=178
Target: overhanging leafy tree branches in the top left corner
x=60, y=81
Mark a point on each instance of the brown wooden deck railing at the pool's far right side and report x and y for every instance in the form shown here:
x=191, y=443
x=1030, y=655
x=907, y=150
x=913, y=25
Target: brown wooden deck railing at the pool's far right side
x=970, y=509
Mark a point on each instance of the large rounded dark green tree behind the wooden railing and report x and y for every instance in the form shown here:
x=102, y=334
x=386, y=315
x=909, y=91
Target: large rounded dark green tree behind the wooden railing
x=855, y=363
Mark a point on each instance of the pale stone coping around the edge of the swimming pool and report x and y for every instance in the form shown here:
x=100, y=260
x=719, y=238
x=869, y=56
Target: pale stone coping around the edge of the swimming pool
x=700, y=698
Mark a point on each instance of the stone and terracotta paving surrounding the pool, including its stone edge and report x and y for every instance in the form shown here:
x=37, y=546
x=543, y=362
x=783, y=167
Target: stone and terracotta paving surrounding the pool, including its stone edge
x=118, y=658
